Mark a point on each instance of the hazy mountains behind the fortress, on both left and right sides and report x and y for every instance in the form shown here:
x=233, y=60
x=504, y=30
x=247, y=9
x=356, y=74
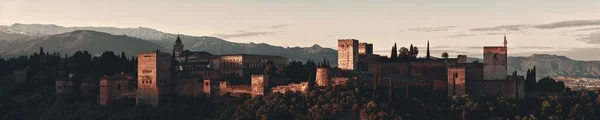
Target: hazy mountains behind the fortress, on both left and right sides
x=24, y=39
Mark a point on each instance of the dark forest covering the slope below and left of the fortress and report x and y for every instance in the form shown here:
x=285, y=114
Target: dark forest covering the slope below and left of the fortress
x=36, y=98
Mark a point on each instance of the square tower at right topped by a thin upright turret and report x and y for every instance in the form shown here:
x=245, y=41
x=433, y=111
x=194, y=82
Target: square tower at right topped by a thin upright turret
x=495, y=62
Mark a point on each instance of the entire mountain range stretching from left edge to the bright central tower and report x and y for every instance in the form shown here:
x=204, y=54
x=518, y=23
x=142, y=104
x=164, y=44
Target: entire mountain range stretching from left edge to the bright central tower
x=19, y=39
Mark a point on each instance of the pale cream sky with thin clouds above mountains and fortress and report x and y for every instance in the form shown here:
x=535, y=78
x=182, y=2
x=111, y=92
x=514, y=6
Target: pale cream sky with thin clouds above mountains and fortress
x=561, y=27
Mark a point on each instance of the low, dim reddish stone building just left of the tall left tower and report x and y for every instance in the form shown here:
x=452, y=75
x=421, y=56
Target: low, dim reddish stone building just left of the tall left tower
x=117, y=86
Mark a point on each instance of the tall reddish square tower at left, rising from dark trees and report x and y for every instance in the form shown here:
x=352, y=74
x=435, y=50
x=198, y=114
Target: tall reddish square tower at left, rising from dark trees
x=154, y=76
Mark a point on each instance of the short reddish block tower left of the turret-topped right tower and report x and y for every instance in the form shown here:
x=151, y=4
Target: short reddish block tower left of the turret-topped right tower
x=456, y=81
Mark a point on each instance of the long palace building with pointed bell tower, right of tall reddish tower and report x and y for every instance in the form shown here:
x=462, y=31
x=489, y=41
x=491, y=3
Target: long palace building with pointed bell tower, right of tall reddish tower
x=214, y=66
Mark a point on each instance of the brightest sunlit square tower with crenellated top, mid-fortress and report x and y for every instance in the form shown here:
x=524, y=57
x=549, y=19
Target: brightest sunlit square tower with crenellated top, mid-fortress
x=347, y=54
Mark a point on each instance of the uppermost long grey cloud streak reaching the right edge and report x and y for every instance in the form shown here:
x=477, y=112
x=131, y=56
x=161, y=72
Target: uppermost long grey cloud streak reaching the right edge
x=571, y=23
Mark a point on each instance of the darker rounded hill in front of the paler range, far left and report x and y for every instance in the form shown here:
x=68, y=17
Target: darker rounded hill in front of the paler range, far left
x=71, y=42
